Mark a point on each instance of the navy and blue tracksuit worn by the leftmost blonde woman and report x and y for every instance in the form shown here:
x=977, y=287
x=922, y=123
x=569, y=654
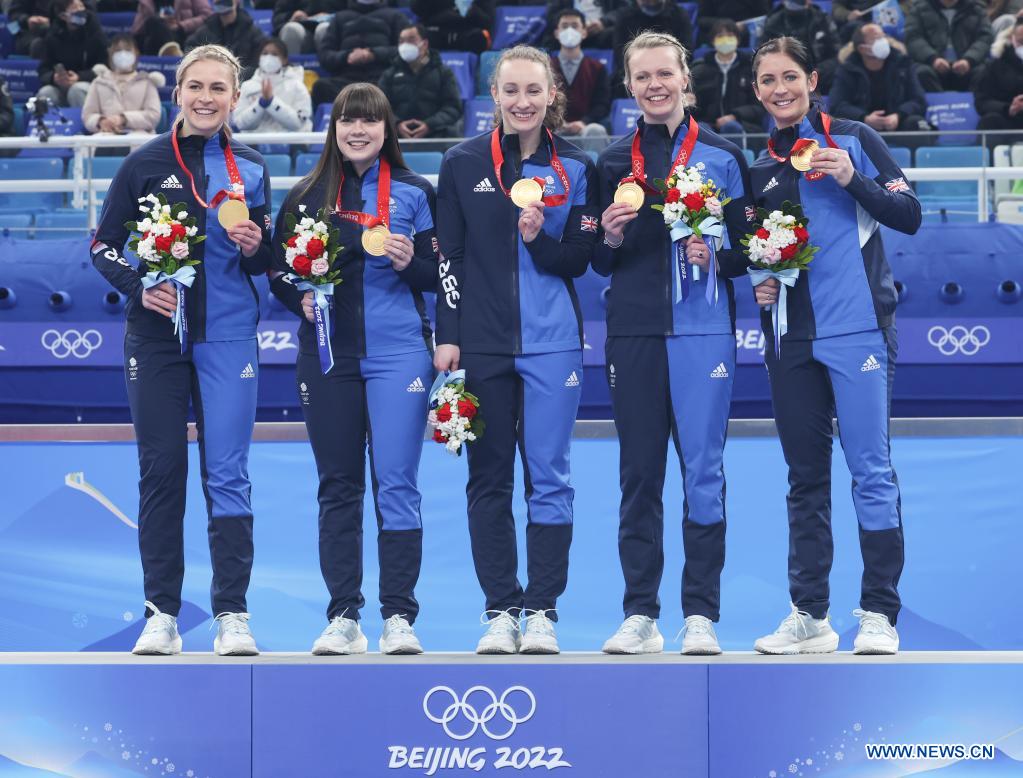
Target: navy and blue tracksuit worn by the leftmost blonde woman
x=218, y=374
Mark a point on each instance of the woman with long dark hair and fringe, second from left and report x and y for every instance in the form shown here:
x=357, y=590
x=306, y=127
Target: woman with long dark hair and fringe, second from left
x=377, y=389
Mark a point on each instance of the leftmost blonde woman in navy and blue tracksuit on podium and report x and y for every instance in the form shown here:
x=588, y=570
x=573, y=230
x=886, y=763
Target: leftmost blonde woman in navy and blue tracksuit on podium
x=215, y=367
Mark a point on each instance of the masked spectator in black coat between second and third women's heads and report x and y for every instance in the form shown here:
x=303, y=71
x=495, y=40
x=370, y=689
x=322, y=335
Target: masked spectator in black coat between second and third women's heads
x=422, y=90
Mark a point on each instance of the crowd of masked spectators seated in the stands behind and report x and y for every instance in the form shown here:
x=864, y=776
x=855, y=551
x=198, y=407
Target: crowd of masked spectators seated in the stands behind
x=868, y=74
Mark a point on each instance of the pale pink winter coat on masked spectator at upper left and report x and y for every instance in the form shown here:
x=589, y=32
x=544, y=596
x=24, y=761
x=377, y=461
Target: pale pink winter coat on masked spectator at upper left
x=135, y=96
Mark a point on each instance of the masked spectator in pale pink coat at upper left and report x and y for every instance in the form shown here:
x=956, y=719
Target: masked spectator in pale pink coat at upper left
x=123, y=100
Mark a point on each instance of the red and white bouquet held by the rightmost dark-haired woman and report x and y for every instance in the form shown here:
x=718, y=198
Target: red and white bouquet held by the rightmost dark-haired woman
x=780, y=248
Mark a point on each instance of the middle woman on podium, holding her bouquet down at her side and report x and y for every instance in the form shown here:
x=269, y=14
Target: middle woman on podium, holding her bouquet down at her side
x=508, y=314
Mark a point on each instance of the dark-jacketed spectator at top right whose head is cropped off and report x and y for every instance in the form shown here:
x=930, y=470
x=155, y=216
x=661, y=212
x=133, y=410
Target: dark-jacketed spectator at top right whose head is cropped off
x=949, y=40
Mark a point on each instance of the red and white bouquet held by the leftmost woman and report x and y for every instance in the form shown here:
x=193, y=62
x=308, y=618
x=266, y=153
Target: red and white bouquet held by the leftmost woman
x=163, y=240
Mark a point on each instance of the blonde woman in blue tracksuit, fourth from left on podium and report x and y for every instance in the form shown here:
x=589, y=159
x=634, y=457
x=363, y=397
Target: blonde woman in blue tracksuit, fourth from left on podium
x=671, y=355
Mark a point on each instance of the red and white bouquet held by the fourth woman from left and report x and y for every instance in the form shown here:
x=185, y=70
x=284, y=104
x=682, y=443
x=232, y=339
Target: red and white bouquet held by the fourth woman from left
x=693, y=206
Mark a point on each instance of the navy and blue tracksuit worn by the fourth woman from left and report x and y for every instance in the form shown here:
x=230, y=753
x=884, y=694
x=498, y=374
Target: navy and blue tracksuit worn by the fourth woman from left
x=671, y=369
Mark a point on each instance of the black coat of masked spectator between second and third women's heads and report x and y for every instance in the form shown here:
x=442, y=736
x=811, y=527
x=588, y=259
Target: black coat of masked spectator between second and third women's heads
x=431, y=96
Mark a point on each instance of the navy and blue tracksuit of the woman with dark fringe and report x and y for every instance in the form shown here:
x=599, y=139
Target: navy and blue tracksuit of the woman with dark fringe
x=376, y=392
